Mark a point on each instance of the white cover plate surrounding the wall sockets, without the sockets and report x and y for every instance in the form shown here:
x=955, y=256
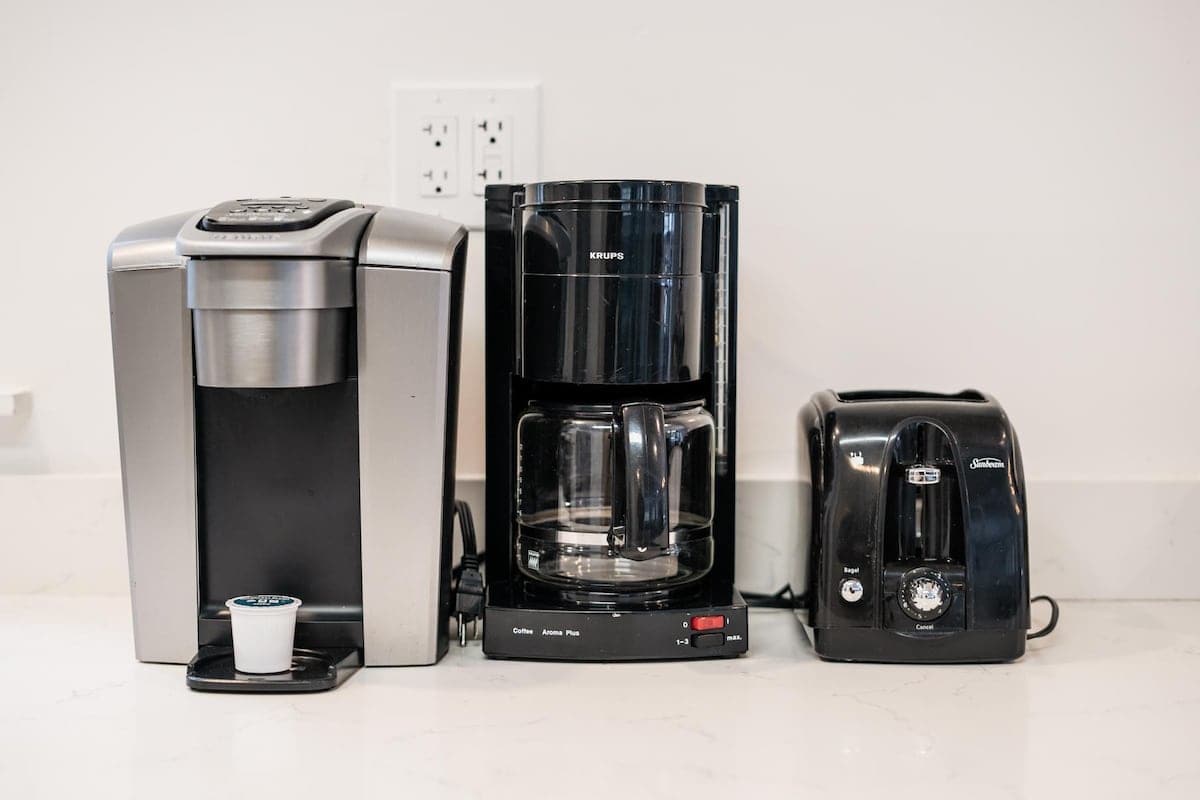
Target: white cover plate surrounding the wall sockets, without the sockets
x=415, y=104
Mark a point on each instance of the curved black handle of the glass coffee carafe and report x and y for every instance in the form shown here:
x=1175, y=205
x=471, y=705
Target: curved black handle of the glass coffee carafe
x=647, y=504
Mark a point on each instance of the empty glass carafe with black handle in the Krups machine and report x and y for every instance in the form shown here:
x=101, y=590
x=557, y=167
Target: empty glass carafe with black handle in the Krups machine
x=615, y=498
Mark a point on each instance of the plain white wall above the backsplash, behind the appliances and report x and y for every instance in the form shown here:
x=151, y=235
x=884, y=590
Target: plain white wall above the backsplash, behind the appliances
x=1019, y=181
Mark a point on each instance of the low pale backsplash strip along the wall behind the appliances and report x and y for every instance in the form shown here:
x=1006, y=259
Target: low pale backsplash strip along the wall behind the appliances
x=1099, y=540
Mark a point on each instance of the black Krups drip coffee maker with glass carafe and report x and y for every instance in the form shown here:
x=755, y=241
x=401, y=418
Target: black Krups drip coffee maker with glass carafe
x=611, y=372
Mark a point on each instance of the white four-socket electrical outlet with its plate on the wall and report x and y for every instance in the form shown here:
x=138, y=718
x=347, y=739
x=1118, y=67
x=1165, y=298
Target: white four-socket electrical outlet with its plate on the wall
x=488, y=135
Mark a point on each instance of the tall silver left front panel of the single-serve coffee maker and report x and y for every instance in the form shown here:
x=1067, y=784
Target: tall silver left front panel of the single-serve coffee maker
x=153, y=370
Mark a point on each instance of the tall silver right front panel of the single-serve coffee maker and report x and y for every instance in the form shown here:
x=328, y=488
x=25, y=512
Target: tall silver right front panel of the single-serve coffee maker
x=404, y=378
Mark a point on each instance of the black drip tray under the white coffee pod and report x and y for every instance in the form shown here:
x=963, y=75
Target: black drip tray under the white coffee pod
x=313, y=671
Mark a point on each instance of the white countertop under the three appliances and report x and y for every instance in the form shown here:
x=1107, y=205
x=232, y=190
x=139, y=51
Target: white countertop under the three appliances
x=1108, y=706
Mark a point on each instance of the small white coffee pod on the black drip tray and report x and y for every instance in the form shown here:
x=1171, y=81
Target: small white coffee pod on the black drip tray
x=265, y=628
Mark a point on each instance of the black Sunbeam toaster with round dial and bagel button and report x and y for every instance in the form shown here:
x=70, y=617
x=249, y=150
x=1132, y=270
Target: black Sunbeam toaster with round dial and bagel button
x=920, y=528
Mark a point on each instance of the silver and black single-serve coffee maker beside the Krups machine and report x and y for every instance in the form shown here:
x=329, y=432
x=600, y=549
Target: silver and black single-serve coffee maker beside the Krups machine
x=287, y=377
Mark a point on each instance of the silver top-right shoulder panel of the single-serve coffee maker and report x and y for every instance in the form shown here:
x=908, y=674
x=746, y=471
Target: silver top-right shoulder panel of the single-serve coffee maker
x=398, y=238
